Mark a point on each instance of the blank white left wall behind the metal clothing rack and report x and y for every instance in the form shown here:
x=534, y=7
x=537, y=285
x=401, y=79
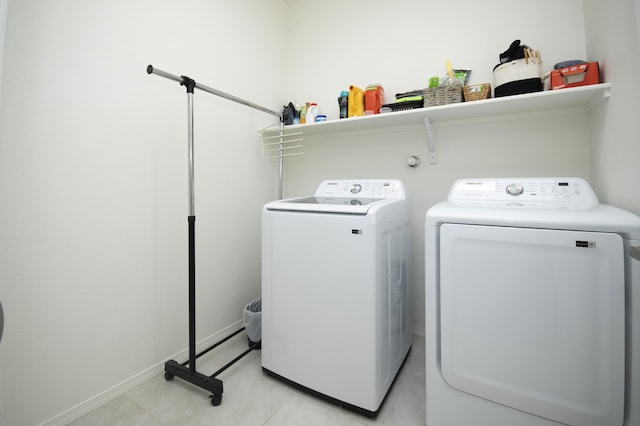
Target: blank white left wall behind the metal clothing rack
x=93, y=187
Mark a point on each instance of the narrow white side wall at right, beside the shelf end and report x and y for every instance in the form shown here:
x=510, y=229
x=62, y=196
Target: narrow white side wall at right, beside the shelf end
x=615, y=128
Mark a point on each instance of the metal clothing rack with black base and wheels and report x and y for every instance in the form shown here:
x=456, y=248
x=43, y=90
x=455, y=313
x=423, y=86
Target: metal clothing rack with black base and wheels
x=187, y=370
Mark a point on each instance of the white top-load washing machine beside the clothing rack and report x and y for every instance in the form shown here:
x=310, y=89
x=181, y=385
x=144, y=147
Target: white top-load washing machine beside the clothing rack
x=336, y=317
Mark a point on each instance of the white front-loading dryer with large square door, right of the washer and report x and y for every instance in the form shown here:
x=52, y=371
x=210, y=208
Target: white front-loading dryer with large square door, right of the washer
x=532, y=306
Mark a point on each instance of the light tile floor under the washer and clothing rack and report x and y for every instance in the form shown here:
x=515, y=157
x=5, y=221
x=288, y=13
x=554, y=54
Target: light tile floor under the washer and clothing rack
x=252, y=398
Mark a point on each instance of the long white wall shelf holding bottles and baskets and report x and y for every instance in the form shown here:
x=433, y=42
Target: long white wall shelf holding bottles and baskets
x=546, y=103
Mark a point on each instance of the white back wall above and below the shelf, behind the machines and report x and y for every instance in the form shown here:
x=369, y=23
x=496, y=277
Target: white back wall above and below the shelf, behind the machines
x=404, y=42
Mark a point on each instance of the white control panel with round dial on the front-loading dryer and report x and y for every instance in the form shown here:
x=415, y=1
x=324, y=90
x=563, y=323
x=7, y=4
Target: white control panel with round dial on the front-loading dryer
x=560, y=192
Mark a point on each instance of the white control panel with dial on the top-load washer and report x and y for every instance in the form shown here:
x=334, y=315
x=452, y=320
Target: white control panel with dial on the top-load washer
x=361, y=188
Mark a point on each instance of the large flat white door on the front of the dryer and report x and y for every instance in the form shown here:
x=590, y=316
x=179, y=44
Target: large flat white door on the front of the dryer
x=534, y=319
